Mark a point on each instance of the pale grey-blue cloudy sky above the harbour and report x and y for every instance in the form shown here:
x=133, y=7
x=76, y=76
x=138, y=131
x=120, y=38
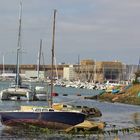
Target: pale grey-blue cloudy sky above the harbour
x=101, y=30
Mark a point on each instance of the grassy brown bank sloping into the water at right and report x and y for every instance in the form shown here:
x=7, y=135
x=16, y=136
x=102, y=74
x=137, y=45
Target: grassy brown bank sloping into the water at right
x=129, y=96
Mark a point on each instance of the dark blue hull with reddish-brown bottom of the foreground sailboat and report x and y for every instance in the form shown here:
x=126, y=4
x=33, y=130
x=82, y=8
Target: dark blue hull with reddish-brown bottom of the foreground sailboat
x=43, y=119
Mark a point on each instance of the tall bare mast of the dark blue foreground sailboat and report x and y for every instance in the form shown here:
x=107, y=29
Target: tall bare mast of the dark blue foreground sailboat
x=52, y=65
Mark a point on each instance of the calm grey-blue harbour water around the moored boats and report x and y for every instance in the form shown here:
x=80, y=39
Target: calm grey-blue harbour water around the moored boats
x=116, y=114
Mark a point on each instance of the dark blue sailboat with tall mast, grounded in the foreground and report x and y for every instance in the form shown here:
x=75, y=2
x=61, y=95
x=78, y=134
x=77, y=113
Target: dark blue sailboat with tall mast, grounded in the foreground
x=44, y=116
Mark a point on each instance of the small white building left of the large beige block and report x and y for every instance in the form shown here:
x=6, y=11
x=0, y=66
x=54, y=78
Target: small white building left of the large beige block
x=69, y=73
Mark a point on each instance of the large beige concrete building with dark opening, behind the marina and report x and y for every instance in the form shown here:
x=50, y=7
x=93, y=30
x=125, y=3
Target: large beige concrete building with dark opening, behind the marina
x=89, y=70
